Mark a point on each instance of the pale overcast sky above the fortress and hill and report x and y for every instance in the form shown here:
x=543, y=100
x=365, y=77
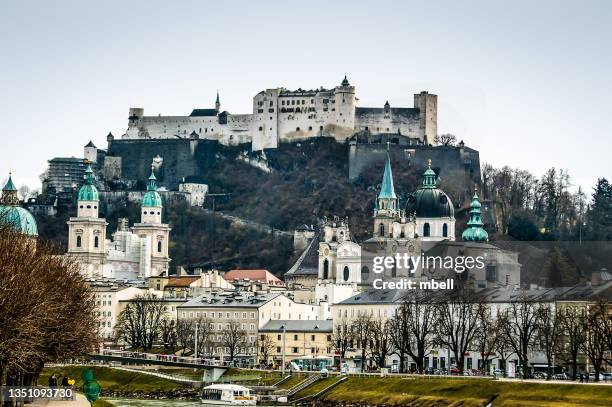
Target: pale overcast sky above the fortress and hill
x=525, y=83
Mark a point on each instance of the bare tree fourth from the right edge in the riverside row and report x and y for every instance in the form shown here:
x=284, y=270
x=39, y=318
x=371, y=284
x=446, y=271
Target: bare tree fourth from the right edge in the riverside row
x=519, y=323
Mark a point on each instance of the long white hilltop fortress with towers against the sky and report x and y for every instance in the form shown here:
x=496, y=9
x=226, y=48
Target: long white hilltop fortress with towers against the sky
x=281, y=115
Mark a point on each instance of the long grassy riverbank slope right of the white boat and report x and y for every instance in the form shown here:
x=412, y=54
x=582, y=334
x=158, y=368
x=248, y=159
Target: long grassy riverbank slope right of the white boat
x=466, y=392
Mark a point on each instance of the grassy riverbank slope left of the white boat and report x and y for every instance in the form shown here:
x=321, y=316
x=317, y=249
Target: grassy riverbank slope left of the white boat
x=113, y=379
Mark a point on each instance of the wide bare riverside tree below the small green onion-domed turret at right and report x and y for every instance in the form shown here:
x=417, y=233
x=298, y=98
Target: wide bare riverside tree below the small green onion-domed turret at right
x=457, y=321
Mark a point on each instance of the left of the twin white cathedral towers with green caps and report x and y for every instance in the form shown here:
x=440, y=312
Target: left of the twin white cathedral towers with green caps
x=87, y=231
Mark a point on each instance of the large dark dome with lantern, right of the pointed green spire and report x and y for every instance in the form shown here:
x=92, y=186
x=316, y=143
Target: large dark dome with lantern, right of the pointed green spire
x=429, y=201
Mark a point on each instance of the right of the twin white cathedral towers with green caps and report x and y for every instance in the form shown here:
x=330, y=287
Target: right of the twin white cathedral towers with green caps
x=152, y=230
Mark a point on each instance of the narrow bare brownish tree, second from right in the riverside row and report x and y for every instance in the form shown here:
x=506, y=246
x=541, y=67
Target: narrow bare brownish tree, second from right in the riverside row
x=573, y=335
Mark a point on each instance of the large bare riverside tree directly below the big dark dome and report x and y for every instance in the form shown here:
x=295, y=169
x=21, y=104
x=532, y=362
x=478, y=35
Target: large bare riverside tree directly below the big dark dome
x=414, y=327
